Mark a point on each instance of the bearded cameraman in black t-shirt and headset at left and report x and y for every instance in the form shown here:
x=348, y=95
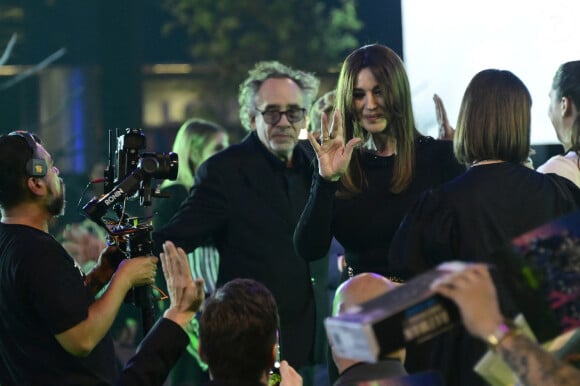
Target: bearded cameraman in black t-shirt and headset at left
x=53, y=331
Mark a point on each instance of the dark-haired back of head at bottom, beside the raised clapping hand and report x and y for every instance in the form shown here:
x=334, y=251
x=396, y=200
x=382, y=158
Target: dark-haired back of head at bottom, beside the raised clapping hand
x=238, y=332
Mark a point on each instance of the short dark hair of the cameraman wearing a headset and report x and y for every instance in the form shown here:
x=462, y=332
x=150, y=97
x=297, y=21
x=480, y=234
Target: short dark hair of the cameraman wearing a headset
x=15, y=154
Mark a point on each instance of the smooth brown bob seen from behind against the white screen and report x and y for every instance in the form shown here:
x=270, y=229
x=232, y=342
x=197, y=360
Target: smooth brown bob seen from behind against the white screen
x=494, y=119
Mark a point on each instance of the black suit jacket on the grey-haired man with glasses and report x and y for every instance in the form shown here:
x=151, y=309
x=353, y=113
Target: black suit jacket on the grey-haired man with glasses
x=247, y=203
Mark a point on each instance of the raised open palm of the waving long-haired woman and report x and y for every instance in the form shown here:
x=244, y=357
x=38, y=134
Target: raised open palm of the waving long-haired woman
x=332, y=153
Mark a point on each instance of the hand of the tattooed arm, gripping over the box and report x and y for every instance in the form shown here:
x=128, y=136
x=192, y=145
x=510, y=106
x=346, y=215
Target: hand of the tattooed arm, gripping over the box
x=474, y=293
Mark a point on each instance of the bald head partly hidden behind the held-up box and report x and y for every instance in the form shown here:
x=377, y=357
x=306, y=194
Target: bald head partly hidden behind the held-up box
x=355, y=291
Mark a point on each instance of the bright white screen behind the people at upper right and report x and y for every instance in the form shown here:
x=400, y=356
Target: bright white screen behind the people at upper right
x=446, y=42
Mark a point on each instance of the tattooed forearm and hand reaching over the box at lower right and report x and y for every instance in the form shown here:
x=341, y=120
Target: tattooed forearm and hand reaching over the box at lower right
x=474, y=293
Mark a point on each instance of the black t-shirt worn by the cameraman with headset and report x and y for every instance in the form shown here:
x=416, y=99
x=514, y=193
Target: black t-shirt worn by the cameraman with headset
x=42, y=294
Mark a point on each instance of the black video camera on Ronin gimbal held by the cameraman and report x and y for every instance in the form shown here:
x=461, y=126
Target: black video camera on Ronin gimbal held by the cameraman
x=129, y=175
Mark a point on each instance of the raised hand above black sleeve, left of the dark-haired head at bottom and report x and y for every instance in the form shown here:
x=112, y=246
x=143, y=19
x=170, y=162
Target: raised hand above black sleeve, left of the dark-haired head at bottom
x=186, y=294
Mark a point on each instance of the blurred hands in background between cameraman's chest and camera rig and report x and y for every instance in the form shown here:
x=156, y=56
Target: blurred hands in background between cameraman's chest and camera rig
x=84, y=246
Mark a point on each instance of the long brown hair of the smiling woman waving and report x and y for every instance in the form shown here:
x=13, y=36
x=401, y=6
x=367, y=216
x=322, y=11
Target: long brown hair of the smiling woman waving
x=390, y=73
